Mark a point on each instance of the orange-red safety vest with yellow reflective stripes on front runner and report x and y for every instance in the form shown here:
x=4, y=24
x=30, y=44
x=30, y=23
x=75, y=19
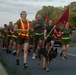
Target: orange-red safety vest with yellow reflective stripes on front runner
x=26, y=27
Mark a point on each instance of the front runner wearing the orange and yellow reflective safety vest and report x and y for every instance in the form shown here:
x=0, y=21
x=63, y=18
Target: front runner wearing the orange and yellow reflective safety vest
x=22, y=28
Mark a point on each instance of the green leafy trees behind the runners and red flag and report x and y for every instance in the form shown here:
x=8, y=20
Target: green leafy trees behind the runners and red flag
x=55, y=12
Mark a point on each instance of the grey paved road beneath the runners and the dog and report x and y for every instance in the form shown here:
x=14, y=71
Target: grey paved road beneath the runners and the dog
x=57, y=67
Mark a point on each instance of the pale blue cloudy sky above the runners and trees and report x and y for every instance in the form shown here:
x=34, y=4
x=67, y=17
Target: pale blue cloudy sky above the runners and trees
x=10, y=9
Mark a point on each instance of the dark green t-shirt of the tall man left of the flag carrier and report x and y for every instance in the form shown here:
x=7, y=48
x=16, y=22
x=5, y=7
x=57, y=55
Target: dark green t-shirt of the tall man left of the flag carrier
x=38, y=29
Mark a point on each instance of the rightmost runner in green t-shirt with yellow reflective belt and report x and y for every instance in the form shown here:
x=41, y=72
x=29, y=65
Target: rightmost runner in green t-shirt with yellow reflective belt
x=65, y=41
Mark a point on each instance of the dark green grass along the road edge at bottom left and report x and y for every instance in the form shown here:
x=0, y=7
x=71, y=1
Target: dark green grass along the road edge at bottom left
x=14, y=70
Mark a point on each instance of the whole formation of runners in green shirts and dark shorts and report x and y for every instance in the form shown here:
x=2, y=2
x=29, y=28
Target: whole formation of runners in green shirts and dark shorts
x=24, y=36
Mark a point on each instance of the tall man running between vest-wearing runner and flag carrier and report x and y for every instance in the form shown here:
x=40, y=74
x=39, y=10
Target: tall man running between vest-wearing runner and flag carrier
x=38, y=27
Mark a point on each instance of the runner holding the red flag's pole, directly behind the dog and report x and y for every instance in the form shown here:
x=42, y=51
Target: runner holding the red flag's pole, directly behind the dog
x=50, y=39
